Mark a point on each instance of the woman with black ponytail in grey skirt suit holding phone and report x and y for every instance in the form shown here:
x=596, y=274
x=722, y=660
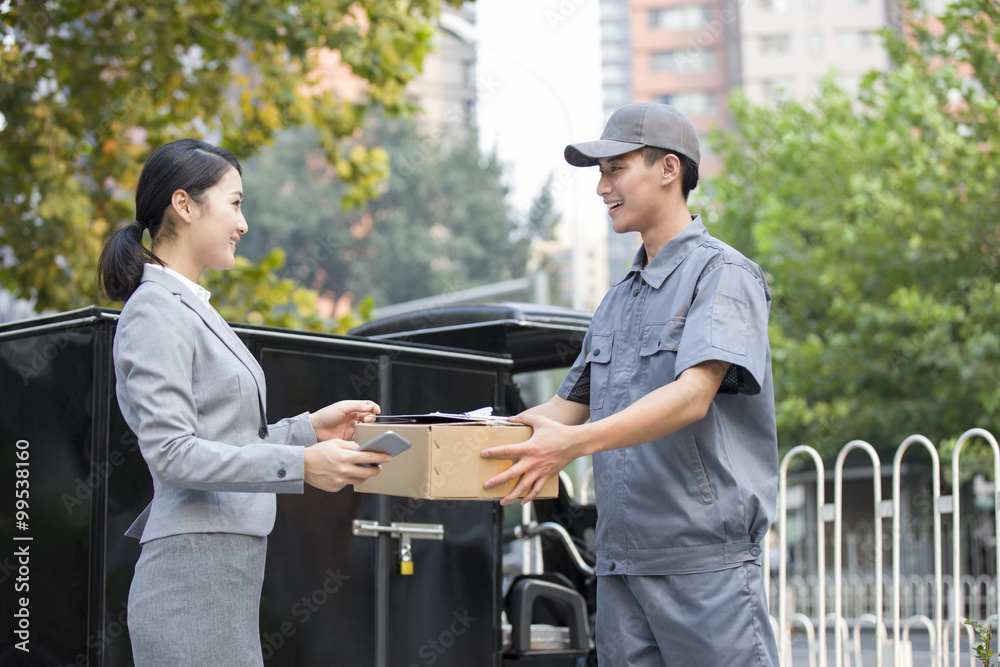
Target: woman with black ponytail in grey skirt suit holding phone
x=195, y=397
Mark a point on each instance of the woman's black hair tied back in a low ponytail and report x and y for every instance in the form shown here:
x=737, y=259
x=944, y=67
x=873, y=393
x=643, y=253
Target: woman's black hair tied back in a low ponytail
x=191, y=165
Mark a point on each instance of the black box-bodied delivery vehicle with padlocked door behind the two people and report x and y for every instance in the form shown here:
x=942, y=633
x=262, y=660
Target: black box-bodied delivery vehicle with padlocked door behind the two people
x=336, y=592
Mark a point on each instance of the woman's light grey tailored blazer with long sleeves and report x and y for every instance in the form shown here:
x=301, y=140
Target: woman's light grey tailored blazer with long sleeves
x=194, y=395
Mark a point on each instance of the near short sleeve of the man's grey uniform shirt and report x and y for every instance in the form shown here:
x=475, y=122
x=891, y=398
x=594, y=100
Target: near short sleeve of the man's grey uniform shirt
x=727, y=322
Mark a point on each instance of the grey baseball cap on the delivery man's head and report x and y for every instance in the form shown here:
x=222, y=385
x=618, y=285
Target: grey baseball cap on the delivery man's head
x=634, y=126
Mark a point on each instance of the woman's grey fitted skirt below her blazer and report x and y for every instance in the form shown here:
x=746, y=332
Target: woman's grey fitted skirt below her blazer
x=195, y=600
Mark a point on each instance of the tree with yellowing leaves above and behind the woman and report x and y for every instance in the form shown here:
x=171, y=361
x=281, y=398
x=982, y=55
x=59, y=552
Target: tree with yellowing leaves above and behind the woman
x=89, y=87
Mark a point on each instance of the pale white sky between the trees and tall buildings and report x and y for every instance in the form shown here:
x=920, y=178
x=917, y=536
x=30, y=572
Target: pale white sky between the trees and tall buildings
x=539, y=82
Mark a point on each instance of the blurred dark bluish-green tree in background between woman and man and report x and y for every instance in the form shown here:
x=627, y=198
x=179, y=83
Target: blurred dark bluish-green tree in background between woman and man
x=442, y=223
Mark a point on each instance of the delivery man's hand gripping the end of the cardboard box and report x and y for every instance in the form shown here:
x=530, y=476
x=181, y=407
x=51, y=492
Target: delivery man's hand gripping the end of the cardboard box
x=550, y=449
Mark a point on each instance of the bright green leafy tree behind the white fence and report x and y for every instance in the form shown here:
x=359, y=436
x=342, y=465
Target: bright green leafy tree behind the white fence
x=875, y=218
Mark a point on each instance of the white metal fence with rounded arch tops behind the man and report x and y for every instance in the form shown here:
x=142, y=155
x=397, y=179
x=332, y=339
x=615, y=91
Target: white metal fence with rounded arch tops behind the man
x=929, y=600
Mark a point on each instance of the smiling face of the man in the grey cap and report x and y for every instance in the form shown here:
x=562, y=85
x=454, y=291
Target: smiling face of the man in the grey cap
x=632, y=191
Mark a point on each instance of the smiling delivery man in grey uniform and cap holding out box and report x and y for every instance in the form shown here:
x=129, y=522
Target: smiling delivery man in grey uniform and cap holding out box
x=675, y=379
